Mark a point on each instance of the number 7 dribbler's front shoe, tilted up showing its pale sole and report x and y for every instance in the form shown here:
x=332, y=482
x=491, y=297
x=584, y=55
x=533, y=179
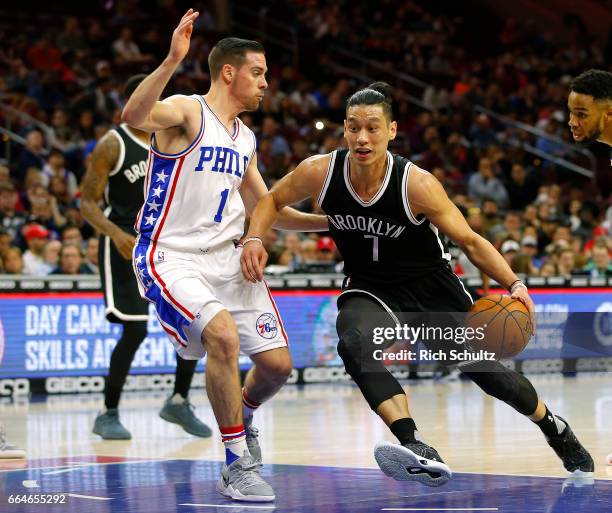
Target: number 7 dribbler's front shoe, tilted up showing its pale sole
x=414, y=461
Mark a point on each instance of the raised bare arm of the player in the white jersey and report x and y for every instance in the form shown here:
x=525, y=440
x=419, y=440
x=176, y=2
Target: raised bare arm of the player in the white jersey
x=144, y=110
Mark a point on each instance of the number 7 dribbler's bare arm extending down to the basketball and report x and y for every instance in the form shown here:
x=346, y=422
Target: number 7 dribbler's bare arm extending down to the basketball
x=428, y=197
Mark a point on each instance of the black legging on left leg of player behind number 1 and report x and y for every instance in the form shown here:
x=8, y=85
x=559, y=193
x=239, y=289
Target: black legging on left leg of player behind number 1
x=121, y=360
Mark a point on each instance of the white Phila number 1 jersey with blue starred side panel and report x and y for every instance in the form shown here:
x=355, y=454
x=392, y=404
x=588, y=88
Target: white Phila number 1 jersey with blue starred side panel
x=192, y=202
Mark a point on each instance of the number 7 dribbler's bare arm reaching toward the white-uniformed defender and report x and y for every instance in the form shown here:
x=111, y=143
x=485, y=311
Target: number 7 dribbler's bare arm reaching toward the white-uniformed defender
x=305, y=181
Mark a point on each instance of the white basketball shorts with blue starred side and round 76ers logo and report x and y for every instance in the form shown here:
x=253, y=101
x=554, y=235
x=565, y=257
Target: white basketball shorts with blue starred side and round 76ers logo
x=189, y=289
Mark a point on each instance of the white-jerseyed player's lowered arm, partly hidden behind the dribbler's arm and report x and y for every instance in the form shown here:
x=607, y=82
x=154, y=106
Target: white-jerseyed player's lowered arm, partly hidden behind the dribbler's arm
x=253, y=188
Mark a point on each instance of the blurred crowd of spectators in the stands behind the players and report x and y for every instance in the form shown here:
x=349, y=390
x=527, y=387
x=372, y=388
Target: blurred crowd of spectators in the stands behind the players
x=66, y=74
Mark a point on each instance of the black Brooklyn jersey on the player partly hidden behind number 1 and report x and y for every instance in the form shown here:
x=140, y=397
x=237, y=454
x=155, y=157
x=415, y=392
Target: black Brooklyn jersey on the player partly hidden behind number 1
x=124, y=192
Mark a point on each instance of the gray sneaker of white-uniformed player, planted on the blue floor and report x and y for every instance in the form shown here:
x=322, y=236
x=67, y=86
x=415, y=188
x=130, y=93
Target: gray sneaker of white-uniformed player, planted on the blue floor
x=241, y=481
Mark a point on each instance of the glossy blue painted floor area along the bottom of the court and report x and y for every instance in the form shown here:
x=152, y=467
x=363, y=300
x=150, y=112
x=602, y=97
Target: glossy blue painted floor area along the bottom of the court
x=178, y=486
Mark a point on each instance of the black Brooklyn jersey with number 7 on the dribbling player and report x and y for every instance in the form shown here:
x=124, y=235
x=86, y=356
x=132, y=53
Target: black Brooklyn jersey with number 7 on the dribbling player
x=381, y=241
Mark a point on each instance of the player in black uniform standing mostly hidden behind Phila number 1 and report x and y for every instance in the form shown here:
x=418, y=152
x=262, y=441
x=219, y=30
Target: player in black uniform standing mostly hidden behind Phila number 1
x=116, y=172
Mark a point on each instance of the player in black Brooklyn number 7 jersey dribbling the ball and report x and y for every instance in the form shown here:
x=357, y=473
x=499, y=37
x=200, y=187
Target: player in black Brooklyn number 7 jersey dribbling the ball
x=384, y=215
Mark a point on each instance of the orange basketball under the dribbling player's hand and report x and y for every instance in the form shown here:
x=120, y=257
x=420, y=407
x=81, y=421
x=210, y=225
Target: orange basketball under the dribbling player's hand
x=505, y=322
